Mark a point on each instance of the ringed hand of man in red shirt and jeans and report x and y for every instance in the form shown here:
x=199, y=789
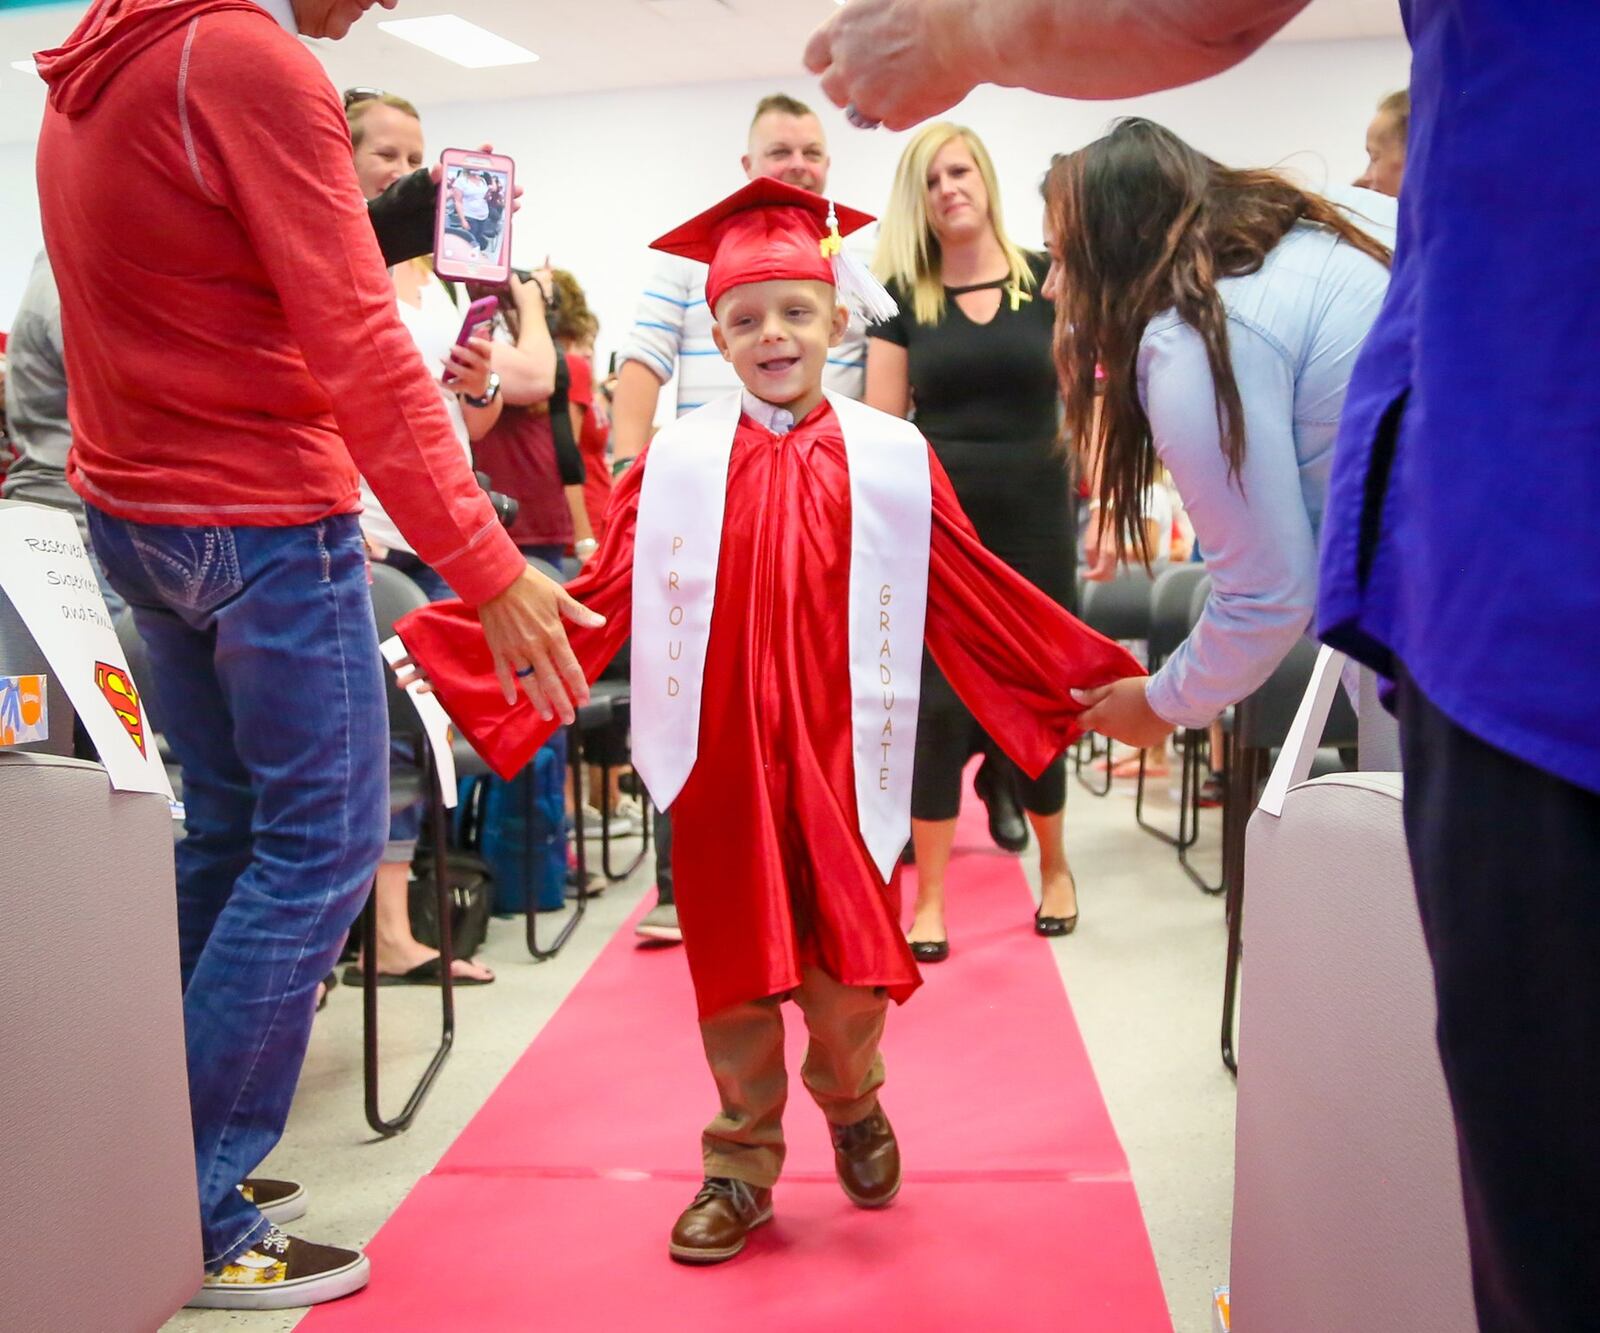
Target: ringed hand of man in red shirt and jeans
x=529, y=641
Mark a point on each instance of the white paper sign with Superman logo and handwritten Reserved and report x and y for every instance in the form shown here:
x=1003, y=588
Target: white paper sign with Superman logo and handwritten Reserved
x=49, y=578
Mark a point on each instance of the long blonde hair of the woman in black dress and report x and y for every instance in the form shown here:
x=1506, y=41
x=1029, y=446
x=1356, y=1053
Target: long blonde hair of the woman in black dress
x=908, y=249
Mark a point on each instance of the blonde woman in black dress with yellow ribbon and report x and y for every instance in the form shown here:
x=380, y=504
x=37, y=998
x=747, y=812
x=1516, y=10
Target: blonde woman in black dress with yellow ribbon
x=970, y=361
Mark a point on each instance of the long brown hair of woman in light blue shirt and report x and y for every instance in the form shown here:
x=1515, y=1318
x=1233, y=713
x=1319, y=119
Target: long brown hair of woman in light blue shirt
x=1143, y=223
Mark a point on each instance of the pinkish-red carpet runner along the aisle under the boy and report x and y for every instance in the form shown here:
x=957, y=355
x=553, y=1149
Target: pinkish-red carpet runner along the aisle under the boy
x=553, y=1209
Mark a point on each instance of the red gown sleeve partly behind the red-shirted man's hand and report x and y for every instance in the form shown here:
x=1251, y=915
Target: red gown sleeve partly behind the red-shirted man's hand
x=447, y=641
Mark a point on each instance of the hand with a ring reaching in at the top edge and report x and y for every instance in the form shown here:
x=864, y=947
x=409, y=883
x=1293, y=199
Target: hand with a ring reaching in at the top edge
x=900, y=62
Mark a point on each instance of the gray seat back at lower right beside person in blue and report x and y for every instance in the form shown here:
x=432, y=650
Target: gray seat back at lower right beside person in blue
x=1348, y=1199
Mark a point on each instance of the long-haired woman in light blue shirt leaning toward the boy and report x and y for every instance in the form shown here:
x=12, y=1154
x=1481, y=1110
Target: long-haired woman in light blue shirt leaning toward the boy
x=1228, y=310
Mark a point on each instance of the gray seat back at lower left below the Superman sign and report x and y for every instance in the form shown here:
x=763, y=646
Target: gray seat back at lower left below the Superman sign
x=100, y=1227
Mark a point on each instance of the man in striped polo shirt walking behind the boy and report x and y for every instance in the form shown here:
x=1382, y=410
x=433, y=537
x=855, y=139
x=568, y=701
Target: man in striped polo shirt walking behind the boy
x=673, y=335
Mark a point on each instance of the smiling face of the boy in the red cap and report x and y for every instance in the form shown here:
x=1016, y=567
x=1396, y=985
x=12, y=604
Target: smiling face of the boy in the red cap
x=778, y=335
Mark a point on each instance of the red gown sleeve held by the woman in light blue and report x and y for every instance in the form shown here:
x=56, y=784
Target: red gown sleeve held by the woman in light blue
x=1012, y=655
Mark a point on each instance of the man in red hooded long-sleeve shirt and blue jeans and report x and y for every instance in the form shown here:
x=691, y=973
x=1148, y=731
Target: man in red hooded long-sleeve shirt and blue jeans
x=196, y=162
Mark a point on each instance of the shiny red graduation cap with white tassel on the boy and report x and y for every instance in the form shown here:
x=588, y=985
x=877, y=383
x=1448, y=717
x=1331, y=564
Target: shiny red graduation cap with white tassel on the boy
x=772, y=231
